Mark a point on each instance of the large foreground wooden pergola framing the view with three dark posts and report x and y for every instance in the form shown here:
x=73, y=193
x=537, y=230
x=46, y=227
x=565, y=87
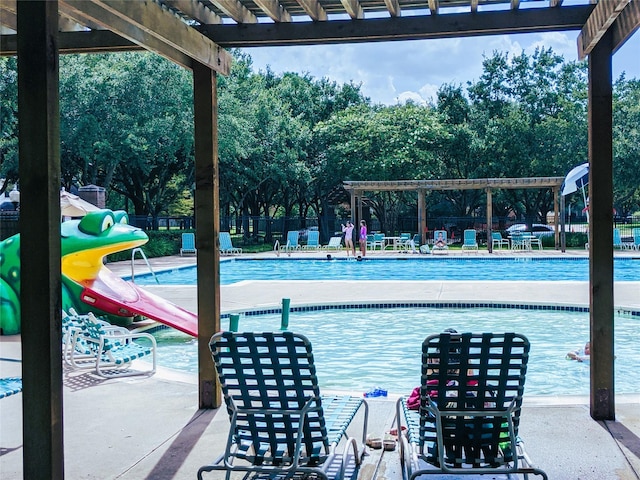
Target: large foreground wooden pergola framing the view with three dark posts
x=194, y=34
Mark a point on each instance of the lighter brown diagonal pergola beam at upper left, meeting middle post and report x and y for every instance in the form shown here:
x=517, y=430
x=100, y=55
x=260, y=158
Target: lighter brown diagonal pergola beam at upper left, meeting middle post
x=152, y=27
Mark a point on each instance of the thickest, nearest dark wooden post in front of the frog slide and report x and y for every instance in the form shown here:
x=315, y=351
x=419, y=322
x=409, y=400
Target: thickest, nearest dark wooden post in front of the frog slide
x=40, y=296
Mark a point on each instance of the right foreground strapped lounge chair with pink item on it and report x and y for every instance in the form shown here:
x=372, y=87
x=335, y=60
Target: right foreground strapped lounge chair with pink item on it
x=469, y=410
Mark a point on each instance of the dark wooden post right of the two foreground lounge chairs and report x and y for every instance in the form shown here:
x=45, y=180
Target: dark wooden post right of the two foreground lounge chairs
x=601, y=230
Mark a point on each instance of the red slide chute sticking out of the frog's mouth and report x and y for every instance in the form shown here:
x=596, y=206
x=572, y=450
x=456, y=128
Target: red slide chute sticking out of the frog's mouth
x=113, y=295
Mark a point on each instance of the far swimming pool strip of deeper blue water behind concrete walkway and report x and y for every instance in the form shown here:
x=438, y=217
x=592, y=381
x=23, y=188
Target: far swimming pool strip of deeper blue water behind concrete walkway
x=237, y=270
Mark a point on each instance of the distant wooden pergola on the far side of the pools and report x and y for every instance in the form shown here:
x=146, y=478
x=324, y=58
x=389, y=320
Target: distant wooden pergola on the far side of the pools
x=357, y=189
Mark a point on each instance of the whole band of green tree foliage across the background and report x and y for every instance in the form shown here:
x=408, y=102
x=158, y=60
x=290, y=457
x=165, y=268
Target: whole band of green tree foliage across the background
x=287, y=142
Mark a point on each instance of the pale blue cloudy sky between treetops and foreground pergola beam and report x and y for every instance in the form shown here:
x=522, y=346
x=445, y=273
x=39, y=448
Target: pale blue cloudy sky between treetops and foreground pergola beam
x=395, y=71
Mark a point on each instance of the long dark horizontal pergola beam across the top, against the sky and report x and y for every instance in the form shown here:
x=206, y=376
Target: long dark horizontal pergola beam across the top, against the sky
x=455, y=25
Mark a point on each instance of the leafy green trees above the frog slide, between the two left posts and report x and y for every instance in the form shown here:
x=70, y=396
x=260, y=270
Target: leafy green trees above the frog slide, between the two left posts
x=127, y=124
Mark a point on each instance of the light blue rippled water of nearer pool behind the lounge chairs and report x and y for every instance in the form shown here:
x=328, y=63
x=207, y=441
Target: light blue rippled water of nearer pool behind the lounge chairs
x=358, y=349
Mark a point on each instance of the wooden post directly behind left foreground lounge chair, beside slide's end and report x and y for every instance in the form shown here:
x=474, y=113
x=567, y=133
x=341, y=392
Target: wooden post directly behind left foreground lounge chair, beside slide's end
x=207, y=209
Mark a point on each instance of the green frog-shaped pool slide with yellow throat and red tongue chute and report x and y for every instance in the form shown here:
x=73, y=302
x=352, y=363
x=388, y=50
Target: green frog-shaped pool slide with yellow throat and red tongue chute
x=87, y=284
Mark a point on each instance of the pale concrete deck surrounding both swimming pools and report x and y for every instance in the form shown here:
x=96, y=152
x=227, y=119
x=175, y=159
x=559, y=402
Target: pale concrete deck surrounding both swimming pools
x=151, y=428
